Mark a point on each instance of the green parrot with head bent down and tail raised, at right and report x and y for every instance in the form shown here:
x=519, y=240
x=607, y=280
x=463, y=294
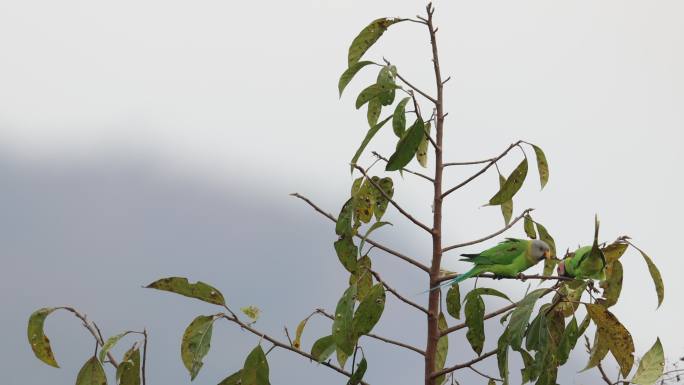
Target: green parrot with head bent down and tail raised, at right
x=585, y=262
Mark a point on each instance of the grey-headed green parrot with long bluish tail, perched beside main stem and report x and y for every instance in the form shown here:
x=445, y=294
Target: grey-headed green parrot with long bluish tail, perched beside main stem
x=507, y=259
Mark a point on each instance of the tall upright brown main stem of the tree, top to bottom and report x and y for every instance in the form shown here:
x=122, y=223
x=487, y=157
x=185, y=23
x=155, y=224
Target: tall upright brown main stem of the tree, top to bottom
x=433, y=332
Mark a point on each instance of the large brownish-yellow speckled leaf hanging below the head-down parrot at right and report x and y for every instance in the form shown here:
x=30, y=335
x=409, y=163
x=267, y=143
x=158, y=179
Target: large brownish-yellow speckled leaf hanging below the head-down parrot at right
x=615, y=335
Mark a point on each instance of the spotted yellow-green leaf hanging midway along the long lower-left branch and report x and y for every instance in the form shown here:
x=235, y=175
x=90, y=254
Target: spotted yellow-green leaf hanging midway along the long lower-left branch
x=196, y=343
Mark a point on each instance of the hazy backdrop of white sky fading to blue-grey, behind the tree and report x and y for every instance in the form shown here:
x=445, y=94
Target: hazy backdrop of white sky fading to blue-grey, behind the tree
x=148, y=138
